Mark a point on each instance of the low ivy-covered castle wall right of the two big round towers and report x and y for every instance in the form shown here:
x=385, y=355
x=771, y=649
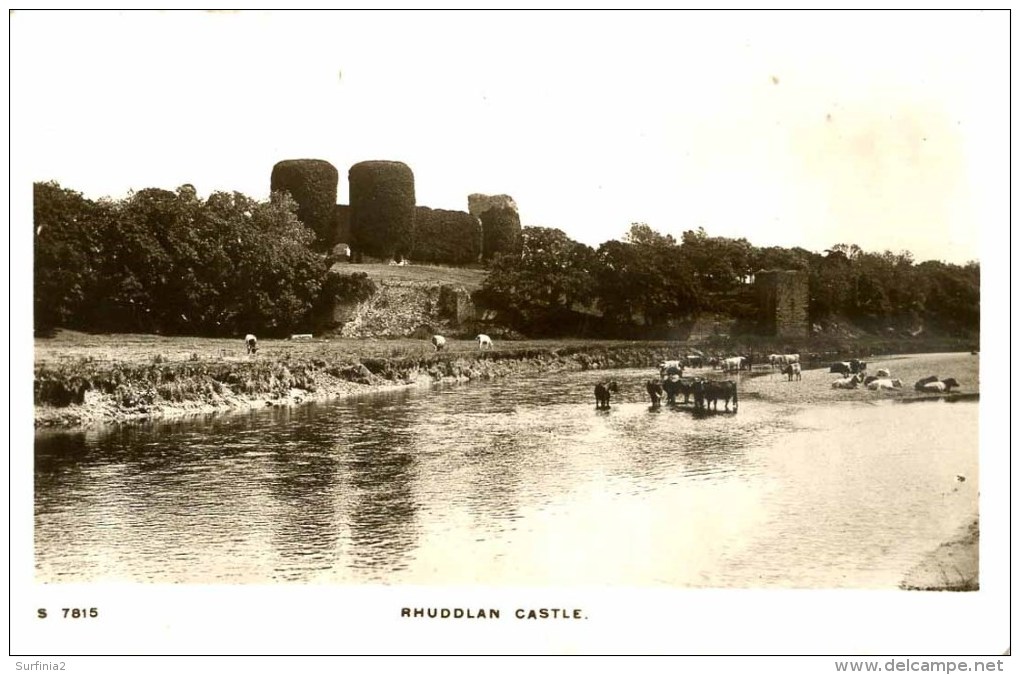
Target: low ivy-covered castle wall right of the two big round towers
x=452, y=238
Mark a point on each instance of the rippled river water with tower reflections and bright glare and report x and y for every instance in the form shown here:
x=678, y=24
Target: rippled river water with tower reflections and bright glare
x=511, y=483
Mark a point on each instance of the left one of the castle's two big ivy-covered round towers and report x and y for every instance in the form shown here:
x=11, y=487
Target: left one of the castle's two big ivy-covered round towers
x=313, y=184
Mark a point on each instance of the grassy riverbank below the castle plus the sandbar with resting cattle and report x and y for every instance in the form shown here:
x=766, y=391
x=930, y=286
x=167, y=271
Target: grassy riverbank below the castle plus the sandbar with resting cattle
x=82, y=381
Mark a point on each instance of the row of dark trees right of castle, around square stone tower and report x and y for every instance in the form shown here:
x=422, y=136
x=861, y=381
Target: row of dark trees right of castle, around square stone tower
x=649, y=283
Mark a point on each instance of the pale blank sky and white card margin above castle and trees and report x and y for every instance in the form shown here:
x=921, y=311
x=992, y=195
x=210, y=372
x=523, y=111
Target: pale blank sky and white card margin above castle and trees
x=791, y=129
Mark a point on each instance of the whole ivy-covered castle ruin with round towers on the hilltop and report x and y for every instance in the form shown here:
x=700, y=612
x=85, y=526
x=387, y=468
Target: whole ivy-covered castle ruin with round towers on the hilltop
x=384, y=222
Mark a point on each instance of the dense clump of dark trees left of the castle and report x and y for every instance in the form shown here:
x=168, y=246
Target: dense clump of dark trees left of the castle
x=168, y=263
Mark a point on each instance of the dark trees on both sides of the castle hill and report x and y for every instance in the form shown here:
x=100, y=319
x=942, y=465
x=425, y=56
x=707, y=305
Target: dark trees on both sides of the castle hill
x=169, y=263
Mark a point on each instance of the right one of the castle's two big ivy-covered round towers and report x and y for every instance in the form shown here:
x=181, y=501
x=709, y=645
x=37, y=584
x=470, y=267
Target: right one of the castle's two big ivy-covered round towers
x=382, y=210
